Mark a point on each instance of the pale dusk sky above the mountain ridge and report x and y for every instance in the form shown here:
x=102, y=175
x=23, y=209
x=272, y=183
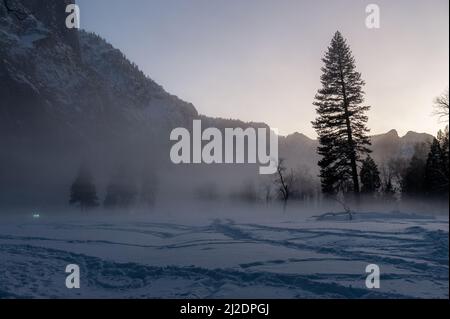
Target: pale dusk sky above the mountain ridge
x=260, y=60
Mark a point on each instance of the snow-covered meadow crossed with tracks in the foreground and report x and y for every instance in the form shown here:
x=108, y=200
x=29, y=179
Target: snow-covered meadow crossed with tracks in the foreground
x=270, y=256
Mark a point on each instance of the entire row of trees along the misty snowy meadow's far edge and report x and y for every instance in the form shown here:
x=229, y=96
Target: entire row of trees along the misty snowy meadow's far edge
x=346, y=166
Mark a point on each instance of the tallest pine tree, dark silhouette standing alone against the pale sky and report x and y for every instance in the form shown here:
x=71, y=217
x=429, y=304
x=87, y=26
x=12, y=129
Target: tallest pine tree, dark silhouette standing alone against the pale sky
x=341, y=122
